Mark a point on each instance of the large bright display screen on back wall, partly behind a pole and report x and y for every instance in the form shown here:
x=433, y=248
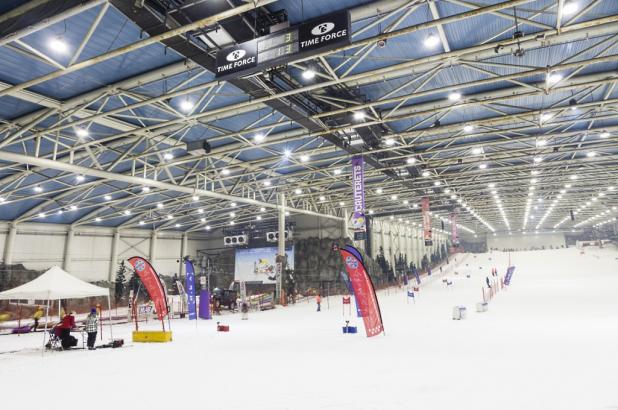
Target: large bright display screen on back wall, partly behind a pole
x=259, y=264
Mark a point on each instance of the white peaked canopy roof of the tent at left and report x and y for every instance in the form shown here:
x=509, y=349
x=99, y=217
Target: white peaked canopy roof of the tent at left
x=52, y=285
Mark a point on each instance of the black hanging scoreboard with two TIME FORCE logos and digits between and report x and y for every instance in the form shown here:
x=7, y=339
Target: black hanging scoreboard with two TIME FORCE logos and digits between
x=300, y=41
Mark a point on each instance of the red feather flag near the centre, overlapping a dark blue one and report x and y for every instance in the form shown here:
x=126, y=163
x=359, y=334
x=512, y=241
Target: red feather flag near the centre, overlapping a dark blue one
x=364, y=292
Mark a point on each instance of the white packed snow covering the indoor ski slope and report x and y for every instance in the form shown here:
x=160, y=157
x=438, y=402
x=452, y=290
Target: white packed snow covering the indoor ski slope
x=549, y=341
